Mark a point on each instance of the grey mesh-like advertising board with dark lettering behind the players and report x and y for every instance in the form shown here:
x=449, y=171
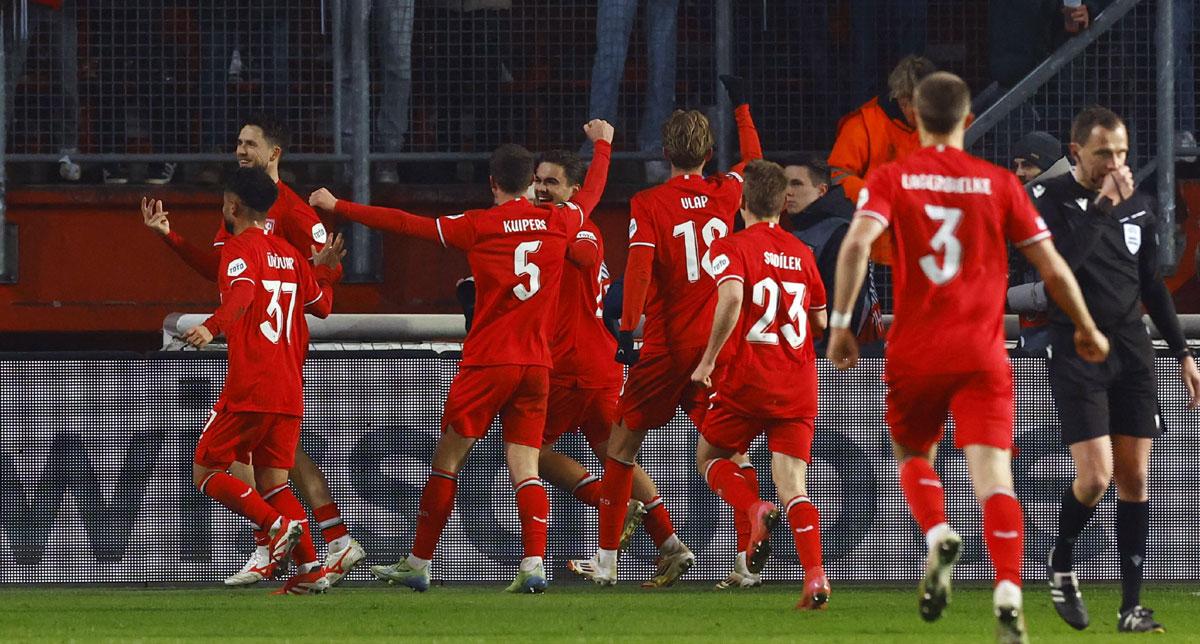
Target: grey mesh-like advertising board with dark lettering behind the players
x=97, y=452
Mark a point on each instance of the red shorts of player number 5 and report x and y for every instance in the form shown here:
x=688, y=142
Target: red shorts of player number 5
x=518, y=393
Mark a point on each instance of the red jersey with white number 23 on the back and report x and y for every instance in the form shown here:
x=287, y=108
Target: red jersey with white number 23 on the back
x=770, y=363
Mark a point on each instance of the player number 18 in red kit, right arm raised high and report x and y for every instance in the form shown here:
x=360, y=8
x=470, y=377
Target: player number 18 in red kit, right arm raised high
x=669, y=273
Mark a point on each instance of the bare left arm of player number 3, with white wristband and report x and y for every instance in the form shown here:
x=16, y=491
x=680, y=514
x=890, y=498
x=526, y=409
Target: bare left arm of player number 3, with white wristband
x=856, y=249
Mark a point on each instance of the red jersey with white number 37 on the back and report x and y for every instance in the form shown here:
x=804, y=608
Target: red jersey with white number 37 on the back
x=269, y=341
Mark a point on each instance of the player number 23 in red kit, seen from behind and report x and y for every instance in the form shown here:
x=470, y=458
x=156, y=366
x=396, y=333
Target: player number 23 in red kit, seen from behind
x=771, y=302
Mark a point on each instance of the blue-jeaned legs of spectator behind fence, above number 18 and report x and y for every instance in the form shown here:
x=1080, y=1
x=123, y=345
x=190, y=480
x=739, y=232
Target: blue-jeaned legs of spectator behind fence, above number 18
x=615, y=26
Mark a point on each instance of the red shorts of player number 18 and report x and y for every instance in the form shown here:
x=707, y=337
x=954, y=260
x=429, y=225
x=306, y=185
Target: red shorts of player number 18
x=658, y=384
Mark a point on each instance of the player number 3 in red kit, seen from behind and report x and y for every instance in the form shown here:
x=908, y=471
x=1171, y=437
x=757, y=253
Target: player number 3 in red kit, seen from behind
x=950, y=216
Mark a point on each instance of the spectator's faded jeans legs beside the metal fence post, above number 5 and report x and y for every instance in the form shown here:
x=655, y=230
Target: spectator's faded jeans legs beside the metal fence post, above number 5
x=393, y=25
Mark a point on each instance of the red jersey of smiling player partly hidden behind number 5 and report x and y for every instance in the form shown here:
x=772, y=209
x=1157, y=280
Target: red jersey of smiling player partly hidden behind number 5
x=583, y=347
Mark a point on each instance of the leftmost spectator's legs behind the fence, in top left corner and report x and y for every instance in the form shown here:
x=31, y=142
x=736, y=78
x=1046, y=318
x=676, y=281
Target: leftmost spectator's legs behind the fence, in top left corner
x=61, y=17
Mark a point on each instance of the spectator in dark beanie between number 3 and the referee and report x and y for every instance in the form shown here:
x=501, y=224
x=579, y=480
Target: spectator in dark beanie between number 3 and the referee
x=1036, y=158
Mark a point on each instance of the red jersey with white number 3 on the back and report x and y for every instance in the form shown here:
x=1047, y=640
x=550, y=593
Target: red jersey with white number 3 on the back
x=950, y=216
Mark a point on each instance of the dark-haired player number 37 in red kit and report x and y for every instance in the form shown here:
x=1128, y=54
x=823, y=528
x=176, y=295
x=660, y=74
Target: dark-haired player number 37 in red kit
x=266, y=288
